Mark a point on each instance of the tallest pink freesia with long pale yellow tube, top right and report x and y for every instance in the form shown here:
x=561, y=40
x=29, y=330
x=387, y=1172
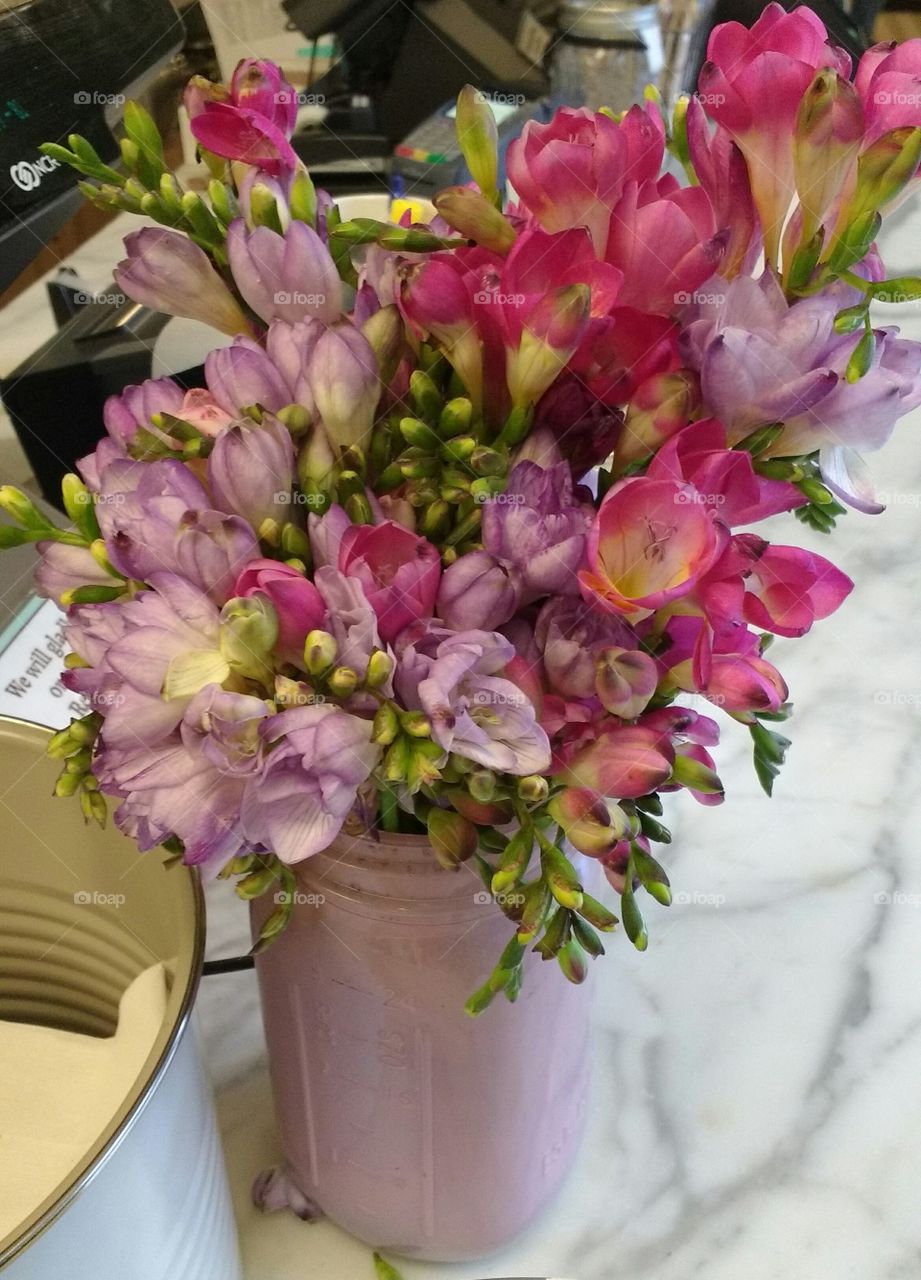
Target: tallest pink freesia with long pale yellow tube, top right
x=753, y=84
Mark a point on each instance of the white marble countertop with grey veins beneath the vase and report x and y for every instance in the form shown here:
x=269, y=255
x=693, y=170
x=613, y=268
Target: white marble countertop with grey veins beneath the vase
x=758, y=1073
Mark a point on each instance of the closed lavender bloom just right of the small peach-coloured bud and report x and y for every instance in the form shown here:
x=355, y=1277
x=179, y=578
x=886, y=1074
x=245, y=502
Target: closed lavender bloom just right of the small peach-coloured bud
x=251, y=472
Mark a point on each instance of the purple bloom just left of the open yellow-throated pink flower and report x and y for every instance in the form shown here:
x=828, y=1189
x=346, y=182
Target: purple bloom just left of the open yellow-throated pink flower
x=539, y=528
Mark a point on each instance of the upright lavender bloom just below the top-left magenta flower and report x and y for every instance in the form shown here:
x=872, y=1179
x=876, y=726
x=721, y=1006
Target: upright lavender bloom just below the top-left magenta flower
x=287, y=277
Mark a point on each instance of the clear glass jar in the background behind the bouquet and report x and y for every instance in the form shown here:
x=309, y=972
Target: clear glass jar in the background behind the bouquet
x=606, y=53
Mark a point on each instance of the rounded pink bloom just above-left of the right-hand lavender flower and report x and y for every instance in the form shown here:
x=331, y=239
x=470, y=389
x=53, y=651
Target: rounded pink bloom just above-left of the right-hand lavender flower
x=666, y=241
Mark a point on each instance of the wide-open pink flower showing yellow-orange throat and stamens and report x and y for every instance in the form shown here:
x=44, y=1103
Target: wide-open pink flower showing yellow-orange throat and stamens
x=650, y=543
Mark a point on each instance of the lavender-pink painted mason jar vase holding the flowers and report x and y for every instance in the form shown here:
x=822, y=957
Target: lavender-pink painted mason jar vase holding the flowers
x=419, y=1130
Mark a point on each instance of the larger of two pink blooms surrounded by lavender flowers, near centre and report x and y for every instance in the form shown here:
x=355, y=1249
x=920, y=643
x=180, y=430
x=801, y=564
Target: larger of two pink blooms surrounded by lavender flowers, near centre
x=398, y=573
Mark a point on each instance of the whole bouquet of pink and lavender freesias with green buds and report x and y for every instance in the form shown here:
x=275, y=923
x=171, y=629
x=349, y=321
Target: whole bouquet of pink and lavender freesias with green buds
x=457, y=538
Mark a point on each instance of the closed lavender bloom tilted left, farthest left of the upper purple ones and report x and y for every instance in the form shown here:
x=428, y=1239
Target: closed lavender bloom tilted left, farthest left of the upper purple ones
x=164, y=271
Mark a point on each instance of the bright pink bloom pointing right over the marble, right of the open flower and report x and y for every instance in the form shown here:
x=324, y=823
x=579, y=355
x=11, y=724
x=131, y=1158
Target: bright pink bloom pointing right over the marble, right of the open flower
x=789, y=588
